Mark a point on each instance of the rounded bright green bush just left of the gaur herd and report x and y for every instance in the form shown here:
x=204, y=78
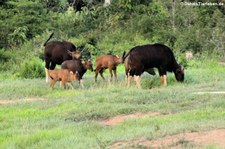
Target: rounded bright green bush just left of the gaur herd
x=31, y=69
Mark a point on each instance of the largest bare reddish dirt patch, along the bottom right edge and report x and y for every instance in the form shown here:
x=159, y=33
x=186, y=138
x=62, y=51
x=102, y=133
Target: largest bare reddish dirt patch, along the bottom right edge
x=183, y=140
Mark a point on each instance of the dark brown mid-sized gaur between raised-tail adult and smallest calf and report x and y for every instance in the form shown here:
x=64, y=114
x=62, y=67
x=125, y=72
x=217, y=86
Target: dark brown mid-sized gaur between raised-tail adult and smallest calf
x=79, y=66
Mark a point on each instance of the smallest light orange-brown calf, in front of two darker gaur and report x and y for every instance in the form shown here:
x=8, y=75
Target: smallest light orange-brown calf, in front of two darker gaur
x=63, y=75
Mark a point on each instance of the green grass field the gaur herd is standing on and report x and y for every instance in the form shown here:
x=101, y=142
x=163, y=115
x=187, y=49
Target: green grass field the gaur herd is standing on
x=70, y=118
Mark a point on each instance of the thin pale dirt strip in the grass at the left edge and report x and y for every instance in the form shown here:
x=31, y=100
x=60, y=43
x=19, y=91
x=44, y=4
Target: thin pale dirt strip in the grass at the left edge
x=3, y=102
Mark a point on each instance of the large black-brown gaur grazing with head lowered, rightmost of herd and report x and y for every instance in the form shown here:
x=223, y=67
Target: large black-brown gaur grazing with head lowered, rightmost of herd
x=145, y=57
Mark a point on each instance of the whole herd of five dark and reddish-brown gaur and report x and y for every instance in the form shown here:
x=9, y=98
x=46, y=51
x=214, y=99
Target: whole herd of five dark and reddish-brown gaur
x=138, y=60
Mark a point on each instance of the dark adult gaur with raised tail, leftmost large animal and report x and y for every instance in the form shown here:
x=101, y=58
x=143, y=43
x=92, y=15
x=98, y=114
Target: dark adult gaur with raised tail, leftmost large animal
x=56, y=52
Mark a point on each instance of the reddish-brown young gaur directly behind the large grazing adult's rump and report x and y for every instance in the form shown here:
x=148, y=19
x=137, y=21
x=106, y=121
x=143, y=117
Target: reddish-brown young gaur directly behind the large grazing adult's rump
x=107, y=61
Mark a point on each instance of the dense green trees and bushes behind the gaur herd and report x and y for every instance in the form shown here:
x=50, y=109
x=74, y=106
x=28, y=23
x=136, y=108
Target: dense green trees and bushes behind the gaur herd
x=26, y=24
